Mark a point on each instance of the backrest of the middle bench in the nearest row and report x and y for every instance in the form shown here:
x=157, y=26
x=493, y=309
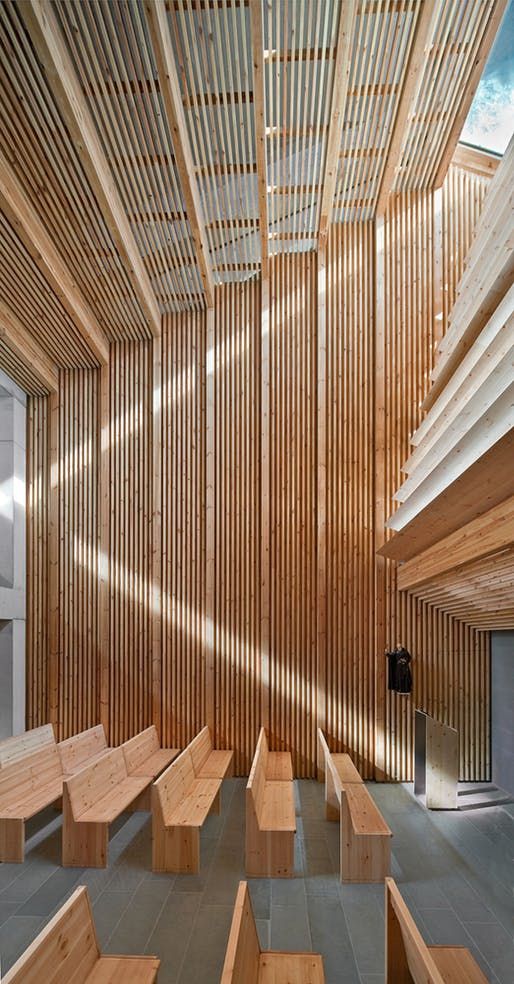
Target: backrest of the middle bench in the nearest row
x=243, y=951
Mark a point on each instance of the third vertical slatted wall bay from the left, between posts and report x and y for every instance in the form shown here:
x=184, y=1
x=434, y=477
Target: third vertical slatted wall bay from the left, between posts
x=127, y=541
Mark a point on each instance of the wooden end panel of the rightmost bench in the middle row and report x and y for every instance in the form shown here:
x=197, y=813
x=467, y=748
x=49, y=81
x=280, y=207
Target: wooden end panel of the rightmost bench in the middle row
x=363, y=858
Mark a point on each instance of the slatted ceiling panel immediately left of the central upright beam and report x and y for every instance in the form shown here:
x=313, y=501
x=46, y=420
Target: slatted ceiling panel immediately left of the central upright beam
x=213, y=49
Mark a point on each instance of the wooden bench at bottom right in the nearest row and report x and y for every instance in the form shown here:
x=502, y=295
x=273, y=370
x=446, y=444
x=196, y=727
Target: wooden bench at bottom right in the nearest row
x=408, y=958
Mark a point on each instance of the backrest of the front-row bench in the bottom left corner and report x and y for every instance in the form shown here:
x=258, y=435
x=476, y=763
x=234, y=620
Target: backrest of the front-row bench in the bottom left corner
x=66, y=949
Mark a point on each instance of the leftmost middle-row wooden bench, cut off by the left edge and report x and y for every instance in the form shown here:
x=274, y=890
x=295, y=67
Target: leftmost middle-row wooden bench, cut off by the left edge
x=27, y=786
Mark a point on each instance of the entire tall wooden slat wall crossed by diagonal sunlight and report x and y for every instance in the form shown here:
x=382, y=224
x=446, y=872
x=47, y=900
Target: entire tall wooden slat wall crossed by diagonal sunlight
x=221, y=447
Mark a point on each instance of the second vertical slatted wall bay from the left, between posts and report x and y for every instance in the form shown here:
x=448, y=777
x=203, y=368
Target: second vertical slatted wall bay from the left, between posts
x=73, y=538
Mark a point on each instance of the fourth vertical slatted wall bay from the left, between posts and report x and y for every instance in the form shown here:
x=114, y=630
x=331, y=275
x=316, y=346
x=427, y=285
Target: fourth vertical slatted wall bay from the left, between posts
x=182, y=476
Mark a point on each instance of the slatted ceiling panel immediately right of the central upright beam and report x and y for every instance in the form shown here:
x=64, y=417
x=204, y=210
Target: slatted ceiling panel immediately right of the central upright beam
x=297, y=102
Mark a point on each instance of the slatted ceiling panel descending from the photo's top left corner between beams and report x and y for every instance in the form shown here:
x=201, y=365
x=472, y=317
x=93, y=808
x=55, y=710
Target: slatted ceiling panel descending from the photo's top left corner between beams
x=48, y=167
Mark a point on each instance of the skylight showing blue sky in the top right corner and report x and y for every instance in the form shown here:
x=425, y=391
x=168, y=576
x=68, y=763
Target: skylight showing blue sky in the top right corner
x=490, y=121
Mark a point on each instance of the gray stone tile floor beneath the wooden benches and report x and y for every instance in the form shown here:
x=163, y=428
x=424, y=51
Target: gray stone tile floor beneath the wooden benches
x=456, y=871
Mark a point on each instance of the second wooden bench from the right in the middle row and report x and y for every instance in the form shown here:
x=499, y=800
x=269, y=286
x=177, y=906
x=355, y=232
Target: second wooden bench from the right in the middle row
x=270, y=820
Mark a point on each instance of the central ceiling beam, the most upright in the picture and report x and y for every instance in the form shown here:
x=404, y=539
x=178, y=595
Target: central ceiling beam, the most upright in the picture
x=260, y=127
